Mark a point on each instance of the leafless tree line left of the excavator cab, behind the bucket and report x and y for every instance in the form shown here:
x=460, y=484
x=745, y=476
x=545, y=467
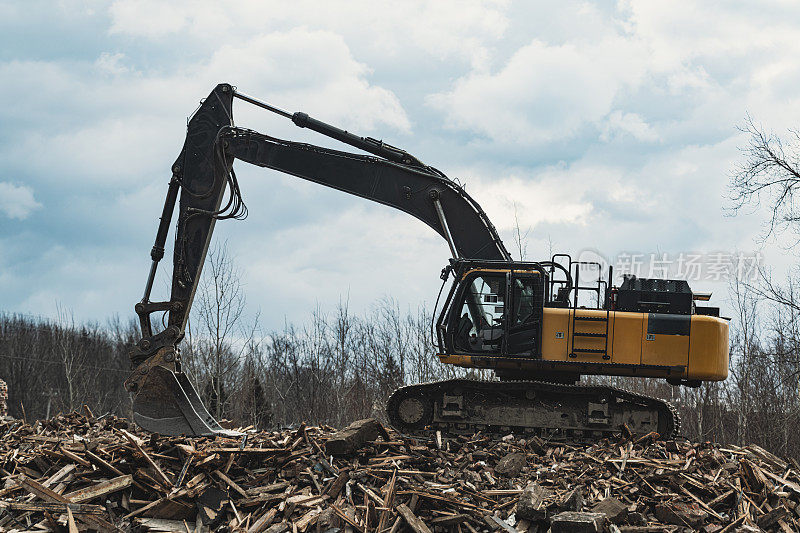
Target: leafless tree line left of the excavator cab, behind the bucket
x=335, y=368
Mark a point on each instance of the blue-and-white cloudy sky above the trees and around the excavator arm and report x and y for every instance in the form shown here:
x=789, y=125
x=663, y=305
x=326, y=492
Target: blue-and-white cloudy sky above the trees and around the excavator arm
x=605, y=126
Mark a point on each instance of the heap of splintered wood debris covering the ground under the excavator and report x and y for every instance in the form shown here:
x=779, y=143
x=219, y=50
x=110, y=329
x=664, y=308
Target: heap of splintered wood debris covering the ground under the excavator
x=78, y=473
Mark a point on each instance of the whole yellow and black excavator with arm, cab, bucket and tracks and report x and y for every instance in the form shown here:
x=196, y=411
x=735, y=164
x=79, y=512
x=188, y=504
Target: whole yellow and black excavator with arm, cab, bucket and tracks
x=539, y=326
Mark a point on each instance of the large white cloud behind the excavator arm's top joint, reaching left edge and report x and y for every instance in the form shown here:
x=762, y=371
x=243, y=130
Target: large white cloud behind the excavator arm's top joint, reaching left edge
x=110, y=123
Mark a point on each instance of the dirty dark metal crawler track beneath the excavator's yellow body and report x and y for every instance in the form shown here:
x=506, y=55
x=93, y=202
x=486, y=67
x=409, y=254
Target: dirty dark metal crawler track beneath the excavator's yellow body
x=550, y=410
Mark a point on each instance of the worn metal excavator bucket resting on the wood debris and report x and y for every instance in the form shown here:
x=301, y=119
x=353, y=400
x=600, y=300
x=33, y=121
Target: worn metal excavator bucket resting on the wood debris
x=165, y=402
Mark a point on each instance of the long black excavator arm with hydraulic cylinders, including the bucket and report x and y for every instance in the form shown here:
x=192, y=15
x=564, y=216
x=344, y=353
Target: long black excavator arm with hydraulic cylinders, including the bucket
x=205, y=188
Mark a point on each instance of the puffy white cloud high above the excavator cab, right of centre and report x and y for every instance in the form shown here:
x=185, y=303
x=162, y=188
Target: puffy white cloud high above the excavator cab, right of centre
x=544, y=92
